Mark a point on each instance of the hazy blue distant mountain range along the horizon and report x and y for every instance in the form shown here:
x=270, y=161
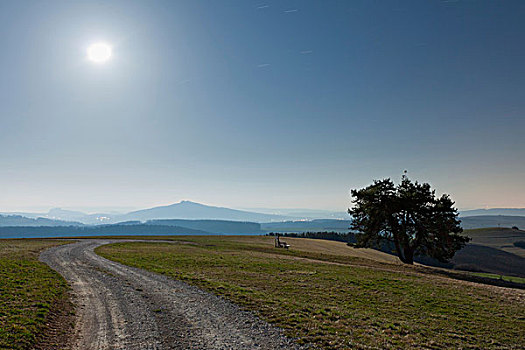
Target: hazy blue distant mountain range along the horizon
x=278, y=220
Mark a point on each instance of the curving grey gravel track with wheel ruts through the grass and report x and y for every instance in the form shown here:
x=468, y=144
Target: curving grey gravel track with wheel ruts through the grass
x=120, y=307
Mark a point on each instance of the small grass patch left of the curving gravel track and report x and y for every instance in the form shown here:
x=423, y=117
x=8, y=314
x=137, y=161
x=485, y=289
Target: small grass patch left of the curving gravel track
x=28, y=291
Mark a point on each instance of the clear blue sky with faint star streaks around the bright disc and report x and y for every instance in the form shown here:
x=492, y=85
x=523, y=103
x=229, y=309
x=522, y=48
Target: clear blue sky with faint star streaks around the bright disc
x=274, y=104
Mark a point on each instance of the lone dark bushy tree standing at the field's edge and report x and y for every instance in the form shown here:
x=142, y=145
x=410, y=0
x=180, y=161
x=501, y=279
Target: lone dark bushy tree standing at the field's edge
x=410, y=216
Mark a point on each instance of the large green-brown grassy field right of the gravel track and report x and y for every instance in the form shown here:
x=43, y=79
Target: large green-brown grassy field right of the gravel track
x=328, y=294
